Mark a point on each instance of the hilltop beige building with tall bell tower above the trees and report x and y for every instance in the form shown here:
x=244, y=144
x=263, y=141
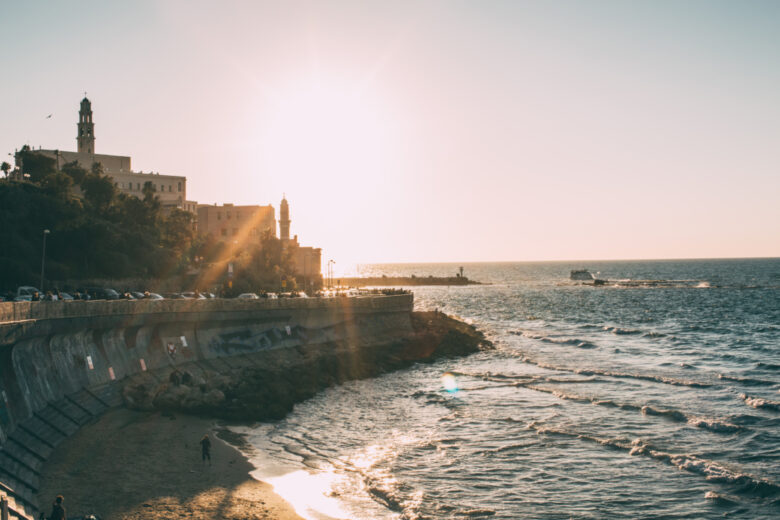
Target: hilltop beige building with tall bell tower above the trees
x=171, y=189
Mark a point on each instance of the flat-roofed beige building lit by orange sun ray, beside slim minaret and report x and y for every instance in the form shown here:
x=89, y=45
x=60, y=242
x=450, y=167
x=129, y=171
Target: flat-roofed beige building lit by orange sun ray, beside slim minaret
x=231, y=222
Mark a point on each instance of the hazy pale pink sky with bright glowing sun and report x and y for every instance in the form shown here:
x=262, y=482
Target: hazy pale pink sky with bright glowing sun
x=430, y=130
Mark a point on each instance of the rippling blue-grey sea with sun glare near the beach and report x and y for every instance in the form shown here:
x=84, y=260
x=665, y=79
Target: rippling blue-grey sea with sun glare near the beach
x=654, y=395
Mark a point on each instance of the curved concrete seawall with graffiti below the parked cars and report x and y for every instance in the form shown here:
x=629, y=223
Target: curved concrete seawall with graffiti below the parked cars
x=64, y=363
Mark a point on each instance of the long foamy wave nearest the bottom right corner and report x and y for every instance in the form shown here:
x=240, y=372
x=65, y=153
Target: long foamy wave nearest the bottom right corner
x=711, y=470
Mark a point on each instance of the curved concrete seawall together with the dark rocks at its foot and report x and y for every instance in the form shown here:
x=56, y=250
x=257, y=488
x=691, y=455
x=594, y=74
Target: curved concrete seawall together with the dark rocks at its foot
x=64, y=363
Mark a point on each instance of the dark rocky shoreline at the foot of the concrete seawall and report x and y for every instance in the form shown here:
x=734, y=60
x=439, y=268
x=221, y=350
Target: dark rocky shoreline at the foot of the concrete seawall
x=268, y=388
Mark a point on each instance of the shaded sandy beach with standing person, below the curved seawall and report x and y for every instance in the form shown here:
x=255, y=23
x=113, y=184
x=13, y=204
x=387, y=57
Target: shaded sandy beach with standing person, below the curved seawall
x=145, y=465
